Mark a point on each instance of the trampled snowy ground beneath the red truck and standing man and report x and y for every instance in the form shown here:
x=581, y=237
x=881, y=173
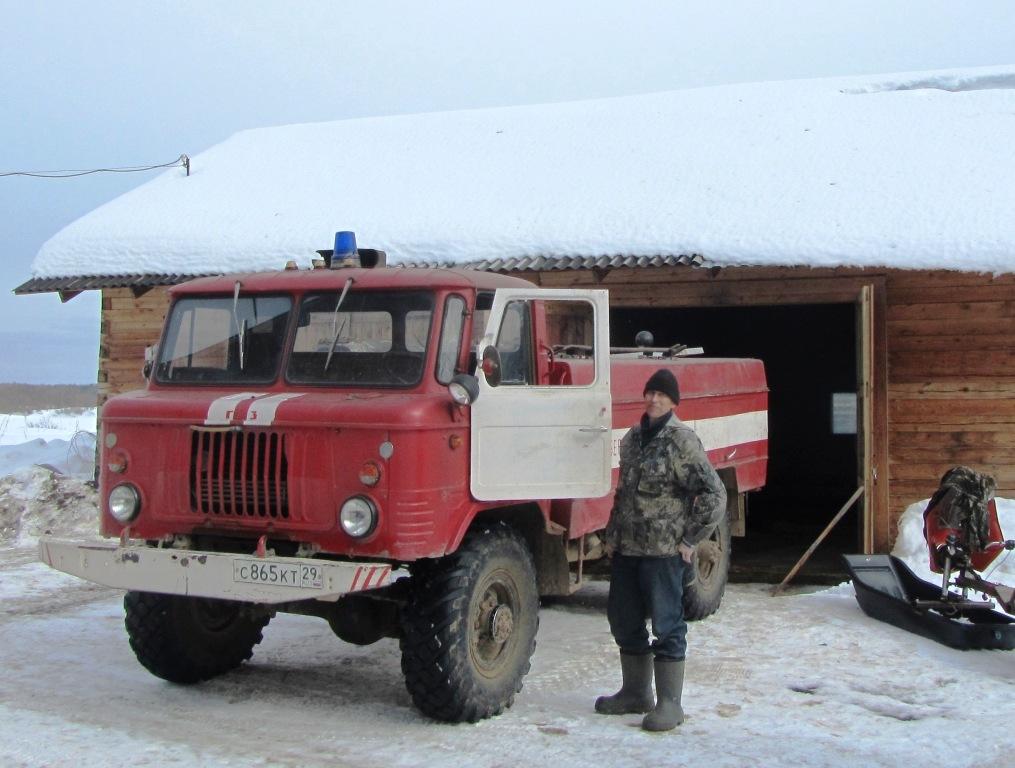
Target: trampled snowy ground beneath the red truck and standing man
x=804, y=679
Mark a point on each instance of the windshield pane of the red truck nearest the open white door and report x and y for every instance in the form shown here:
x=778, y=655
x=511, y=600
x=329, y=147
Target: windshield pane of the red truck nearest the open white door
x=376, y=339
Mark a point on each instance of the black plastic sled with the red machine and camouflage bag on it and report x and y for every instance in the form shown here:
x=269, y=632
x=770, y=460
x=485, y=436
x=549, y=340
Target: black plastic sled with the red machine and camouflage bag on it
x=964, y=538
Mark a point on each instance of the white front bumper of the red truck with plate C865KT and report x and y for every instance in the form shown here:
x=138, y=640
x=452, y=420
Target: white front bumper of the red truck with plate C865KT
x=212, y=575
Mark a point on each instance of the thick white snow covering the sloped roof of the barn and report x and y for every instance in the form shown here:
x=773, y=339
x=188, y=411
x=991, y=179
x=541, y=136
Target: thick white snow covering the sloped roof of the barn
x=912, y=171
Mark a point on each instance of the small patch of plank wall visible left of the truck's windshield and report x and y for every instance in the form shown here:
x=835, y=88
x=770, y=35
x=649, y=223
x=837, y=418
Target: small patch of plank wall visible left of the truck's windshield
x=128, y=325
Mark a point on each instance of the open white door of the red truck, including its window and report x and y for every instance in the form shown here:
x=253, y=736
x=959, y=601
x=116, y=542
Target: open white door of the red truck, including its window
x=538, y=441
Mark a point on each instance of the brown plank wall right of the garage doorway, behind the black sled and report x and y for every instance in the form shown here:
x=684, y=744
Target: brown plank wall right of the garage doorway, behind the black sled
x=952, y=381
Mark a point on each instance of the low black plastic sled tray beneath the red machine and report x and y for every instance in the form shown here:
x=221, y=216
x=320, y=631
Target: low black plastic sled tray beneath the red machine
x=889, y=591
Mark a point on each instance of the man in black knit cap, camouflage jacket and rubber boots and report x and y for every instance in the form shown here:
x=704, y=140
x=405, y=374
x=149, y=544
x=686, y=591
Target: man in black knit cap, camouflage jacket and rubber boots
x=668, y=500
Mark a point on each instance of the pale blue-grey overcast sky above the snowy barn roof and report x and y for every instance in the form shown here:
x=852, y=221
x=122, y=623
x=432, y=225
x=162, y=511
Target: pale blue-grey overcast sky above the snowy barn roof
x=118, y=83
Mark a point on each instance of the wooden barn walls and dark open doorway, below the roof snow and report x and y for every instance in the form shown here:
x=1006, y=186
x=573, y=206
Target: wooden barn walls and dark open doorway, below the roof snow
x=927, y=355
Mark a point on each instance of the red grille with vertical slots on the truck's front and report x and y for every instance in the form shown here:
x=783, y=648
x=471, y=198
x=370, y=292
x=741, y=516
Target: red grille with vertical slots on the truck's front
x=241, y=474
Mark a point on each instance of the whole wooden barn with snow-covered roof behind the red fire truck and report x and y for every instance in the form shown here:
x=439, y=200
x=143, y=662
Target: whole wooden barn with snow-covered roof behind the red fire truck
x=885, y=313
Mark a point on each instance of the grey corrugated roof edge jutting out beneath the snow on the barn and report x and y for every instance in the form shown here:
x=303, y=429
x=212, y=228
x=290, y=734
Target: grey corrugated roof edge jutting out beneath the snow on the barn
x=516, y=264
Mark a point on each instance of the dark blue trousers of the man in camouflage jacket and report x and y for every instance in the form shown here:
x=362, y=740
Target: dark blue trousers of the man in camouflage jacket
x=648, y=588
